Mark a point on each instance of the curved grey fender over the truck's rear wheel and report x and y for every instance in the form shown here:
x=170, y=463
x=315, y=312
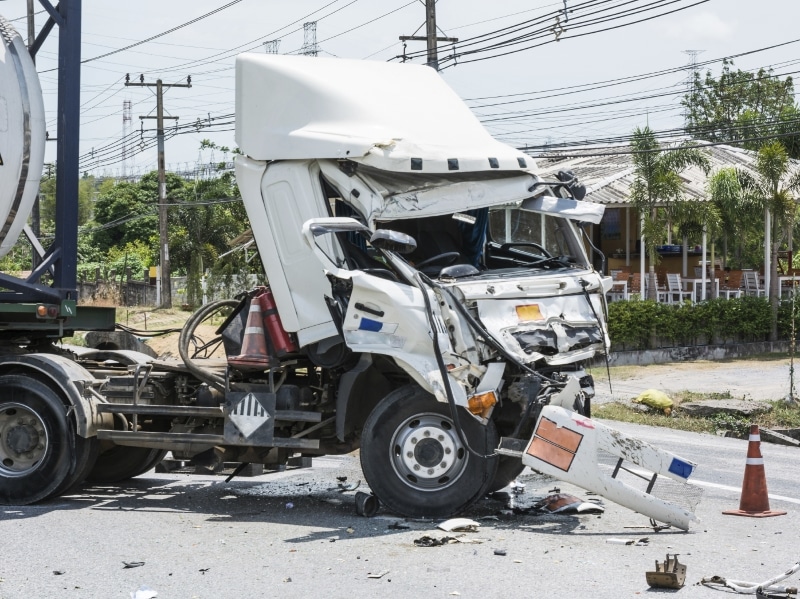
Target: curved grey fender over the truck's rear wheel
x=71, y=380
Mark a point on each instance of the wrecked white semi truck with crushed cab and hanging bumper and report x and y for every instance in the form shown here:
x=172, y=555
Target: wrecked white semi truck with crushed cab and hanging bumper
x=430, y=302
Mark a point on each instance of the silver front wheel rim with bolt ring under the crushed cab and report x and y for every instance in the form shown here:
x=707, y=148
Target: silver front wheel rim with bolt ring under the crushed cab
x=426, y=452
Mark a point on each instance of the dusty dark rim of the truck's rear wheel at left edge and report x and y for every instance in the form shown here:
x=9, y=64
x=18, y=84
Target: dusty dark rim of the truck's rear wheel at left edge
x=23, y=439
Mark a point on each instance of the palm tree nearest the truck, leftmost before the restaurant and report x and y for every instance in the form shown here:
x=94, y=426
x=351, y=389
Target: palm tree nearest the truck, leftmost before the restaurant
x=656, y=186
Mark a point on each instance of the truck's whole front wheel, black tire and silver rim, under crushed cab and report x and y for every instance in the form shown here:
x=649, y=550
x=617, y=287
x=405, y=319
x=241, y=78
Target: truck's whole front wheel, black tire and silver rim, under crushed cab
x=415, y=461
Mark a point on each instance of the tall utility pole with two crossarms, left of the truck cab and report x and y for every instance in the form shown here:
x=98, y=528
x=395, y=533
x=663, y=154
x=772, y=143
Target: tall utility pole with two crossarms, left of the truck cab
x=166, y=286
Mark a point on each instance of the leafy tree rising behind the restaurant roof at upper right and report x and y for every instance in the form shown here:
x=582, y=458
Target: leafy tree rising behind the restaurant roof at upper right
x=740, y=106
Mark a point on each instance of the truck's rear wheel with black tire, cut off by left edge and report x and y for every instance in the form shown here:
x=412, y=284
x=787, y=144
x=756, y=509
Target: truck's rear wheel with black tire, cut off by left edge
x=36, y=441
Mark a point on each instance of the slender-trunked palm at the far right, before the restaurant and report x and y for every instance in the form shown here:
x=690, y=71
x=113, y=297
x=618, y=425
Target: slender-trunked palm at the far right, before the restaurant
x=773, y=185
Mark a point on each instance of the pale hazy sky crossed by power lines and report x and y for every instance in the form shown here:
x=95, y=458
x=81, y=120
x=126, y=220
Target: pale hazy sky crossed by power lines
x=541, y=92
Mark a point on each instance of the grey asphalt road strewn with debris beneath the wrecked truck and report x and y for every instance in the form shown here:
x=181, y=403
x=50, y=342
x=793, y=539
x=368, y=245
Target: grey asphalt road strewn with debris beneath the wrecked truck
x=295, y=534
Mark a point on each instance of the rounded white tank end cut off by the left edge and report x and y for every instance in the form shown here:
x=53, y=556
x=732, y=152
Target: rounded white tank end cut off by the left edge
x=22, y=135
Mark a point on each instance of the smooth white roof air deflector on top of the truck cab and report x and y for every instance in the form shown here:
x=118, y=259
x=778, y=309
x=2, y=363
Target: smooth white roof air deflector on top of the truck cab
x=394, y=117
